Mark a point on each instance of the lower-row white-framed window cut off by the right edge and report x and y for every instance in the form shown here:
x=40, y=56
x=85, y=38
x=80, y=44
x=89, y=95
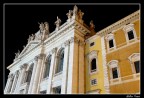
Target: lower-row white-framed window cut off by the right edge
x=135, y=62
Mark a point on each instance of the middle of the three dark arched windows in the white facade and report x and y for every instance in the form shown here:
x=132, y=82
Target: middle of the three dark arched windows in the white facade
x=47, y=67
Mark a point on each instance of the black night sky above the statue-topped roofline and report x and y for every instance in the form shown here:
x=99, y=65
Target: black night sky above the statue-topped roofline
x=22, y=20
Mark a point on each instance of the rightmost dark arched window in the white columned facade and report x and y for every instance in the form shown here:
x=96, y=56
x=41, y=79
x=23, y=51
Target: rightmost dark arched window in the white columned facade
x=59, y=67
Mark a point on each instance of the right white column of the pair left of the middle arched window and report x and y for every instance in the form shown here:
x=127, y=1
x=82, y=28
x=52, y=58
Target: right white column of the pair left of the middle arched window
x=37, y=74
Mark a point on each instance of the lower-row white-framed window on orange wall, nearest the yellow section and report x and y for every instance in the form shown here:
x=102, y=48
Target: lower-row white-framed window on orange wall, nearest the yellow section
x=114, y=69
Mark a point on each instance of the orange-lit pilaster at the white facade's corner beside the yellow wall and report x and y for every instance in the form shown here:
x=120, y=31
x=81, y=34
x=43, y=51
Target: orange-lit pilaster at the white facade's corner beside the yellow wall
x=81, y=67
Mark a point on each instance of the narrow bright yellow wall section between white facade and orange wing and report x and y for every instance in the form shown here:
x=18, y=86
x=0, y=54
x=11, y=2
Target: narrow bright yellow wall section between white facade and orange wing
x=99, y=75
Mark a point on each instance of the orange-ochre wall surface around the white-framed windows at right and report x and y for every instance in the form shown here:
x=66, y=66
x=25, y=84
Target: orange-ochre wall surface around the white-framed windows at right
x=121, y=53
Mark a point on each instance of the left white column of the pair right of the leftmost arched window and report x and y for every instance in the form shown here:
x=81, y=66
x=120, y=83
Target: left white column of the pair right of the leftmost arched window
x=33, y=75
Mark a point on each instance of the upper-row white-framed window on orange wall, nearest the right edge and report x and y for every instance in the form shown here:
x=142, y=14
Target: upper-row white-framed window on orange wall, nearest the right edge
x=130, y=32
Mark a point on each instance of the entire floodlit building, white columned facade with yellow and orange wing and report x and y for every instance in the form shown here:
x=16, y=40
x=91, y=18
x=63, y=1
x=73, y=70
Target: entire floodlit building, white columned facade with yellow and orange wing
x=74, y=59
